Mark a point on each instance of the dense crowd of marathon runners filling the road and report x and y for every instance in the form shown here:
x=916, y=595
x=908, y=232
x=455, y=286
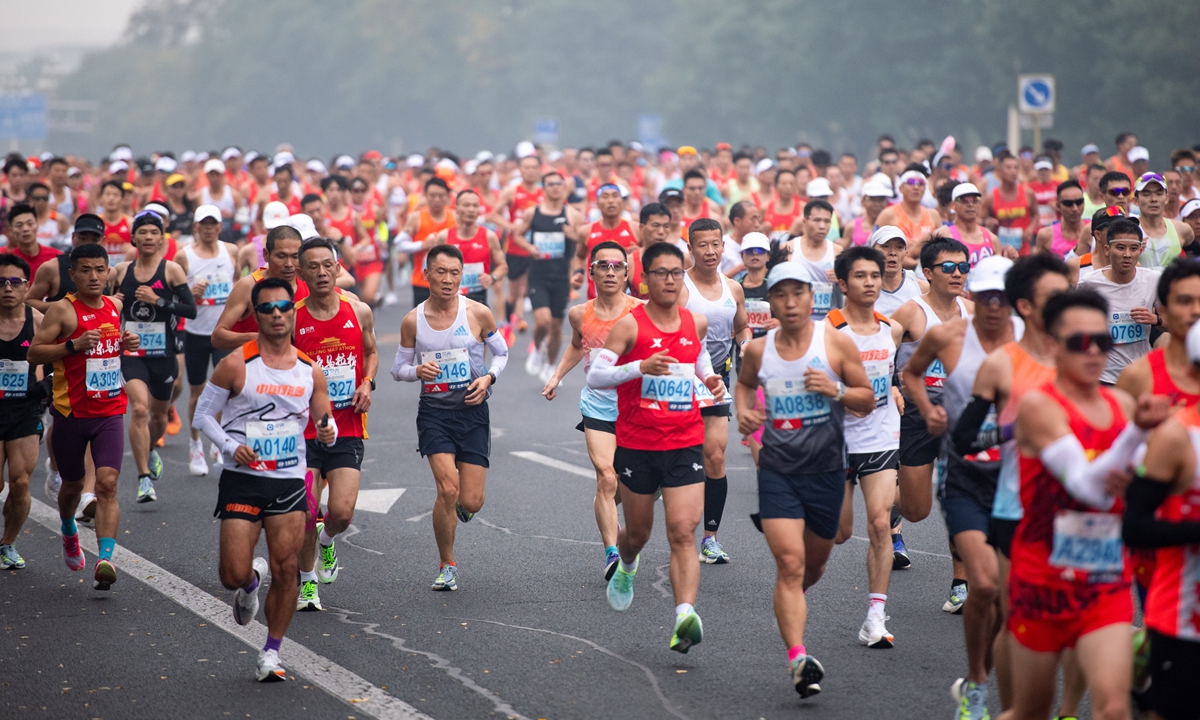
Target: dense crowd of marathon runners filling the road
x=1016, y=338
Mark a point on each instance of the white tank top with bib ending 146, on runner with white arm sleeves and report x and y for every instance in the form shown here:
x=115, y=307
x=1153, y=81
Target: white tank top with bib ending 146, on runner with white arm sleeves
x=457, y=351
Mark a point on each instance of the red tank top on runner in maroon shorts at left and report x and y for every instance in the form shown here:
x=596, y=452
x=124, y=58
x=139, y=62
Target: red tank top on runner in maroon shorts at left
x=89, y=385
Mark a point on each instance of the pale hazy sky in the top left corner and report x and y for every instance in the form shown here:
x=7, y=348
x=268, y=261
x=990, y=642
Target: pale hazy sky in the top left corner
x=51, y=23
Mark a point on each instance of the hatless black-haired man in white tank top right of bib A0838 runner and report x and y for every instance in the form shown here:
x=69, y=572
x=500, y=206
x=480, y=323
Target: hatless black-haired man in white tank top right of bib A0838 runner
x=873, y=442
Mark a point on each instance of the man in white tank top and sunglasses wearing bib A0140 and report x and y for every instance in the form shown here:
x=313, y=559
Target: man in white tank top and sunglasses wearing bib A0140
x=269, y=391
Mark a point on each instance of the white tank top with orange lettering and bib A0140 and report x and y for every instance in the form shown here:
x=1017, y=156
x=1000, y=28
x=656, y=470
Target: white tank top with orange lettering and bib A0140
x=271, y=415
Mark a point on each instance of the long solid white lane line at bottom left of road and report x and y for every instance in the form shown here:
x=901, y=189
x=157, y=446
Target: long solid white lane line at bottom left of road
x=326, y=674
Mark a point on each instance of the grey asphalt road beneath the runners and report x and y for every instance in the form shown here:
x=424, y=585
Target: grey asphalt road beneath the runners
x=529, y=634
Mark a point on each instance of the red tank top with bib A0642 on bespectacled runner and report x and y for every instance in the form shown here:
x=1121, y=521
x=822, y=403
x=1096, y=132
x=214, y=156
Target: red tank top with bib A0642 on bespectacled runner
x=661, y=412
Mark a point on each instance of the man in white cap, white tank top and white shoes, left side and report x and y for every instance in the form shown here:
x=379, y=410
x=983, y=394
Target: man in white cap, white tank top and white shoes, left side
x=209, y=265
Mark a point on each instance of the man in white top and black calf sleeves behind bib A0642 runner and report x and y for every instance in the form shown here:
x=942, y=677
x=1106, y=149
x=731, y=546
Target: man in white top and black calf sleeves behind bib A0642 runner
x=709, y=293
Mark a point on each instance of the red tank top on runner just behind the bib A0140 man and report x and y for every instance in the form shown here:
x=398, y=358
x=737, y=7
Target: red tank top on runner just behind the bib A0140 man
x=337, y=345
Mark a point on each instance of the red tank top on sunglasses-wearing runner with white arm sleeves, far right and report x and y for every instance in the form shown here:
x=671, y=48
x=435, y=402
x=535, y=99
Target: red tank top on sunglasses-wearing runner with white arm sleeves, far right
x=1057, y=527
